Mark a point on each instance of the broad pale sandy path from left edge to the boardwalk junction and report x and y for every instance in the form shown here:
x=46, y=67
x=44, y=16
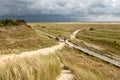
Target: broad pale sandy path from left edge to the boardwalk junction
x=44, y=51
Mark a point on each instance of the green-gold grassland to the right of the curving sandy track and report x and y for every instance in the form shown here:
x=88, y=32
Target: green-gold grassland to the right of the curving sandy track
x=105, y=36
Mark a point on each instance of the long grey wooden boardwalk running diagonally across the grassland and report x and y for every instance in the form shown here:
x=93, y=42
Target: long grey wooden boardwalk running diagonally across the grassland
x=89, y=52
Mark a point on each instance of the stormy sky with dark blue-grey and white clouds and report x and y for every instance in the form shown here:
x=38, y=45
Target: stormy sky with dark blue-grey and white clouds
x=61, y=10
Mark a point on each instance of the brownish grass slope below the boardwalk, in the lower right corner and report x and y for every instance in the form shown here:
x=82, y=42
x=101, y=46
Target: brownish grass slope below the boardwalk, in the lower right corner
x=86, y=67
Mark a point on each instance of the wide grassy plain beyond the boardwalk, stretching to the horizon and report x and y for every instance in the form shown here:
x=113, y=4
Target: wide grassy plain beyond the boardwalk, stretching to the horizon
x=105, y=35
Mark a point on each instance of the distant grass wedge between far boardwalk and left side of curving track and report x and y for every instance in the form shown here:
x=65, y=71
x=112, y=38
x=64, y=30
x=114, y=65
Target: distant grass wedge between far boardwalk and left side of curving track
x=59, y=30
